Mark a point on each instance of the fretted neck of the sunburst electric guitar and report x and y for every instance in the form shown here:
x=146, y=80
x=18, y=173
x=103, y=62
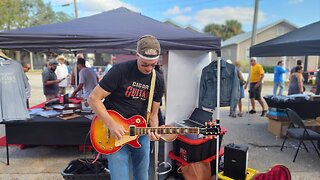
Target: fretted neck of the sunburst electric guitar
x=163, y=130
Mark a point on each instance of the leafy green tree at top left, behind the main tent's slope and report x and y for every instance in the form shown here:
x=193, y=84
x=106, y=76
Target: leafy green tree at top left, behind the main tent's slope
x=26, y=13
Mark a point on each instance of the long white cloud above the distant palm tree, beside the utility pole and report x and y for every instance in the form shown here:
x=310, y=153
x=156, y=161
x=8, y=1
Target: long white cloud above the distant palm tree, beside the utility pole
x=219, y=15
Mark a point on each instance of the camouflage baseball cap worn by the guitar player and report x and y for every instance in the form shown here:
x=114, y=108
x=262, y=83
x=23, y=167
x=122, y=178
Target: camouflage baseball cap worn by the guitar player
x=148, y=47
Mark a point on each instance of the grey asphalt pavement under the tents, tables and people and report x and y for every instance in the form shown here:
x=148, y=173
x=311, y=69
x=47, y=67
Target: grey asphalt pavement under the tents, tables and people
x=47, y=162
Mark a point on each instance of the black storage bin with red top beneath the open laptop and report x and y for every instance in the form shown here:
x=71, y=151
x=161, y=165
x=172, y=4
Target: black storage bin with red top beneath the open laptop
x=191, y=150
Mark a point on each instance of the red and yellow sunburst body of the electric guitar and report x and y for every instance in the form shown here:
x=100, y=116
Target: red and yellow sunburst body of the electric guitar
x=104, y=143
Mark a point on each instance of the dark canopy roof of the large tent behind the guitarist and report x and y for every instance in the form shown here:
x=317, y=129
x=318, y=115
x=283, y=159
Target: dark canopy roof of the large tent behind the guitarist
x=115, y=29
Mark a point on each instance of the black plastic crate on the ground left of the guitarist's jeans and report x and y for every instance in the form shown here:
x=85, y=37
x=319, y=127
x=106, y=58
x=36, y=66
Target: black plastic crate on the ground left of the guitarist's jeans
x=76, y=171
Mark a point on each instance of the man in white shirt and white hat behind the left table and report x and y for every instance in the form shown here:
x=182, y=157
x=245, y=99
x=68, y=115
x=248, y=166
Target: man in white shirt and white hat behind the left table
x=62, y=73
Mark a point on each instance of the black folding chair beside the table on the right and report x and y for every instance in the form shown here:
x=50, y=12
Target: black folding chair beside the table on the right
x=298, y=131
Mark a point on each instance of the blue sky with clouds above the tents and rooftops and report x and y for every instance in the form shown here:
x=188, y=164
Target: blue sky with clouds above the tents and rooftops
x=198, y=13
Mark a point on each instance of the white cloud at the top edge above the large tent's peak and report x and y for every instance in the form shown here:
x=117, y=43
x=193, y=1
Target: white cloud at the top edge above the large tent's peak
x=97, y=6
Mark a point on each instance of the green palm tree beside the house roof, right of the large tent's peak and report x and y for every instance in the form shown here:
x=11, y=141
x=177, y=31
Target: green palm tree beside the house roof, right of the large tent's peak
x=224, y=31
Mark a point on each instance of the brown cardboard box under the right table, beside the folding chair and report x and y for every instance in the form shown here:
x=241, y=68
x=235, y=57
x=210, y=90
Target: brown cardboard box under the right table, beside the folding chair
x=278, y=128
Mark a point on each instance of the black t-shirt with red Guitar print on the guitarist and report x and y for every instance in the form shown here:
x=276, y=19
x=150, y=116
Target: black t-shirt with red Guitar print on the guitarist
x=129, y=89
